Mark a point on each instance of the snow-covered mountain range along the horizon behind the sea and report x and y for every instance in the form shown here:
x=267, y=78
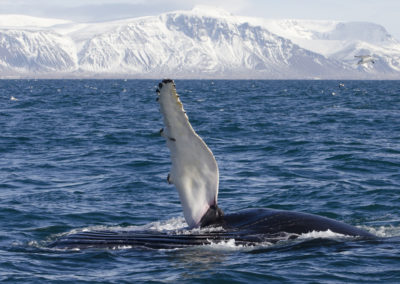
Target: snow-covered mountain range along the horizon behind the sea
x=201, y=43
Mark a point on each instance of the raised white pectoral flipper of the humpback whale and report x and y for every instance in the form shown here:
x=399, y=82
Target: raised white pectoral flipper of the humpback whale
x=194, y=169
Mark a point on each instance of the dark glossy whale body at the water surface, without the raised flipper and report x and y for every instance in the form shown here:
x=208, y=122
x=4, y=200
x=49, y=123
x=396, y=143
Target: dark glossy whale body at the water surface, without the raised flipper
x=246, y=227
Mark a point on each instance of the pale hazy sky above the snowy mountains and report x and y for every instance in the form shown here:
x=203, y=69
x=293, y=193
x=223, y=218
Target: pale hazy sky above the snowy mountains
x=384, y=12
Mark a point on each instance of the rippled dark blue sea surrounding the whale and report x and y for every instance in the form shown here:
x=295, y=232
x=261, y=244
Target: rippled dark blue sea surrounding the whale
x=81, y=155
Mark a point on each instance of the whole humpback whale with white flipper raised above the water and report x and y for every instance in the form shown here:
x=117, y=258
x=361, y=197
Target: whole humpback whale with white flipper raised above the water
x=195, y=175
